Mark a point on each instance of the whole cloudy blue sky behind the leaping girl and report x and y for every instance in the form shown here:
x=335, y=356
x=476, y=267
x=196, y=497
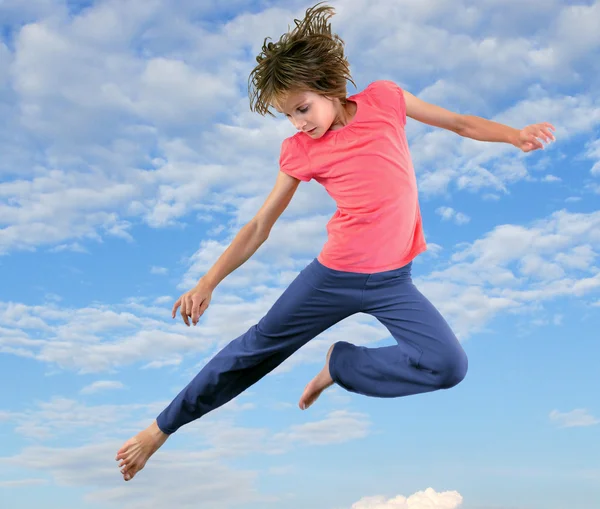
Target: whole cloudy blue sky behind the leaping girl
x=129, y=161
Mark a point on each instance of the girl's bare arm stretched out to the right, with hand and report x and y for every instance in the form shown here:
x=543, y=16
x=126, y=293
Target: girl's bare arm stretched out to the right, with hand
x=477, y=128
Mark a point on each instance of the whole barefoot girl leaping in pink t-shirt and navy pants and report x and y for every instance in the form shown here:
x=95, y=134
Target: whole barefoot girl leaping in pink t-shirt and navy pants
x=357, y=148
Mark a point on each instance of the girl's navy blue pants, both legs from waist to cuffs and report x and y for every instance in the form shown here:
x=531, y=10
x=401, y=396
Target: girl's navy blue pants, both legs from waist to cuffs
x=427, y=356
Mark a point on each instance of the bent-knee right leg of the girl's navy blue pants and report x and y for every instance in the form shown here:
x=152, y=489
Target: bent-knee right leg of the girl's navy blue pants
x=427, y=356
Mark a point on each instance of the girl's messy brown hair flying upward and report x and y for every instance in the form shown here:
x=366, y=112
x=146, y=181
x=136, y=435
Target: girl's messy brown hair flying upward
x=308, y=58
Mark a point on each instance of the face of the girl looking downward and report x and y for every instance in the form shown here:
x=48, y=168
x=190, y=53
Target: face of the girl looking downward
x=310, y=113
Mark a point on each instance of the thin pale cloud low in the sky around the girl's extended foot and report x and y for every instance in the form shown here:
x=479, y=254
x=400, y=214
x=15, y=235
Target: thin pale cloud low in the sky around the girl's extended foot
x=209, y=443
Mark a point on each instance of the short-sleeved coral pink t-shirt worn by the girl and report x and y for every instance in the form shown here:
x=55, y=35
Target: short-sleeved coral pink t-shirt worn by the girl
x=367, y=169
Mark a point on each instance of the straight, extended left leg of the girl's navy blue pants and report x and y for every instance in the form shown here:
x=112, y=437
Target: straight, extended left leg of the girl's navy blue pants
x=313, y=302
